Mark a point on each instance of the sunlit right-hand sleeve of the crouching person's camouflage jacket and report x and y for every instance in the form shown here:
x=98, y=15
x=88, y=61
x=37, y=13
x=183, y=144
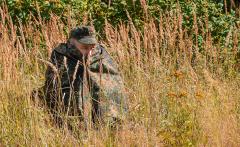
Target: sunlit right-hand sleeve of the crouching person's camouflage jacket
x=109, y=96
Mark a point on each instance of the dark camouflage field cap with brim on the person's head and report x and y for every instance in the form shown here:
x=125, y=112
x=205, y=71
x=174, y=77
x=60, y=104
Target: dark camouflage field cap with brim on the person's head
x=84, y=34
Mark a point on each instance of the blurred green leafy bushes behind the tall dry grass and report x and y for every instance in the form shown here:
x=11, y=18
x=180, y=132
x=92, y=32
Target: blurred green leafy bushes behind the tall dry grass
x=221, y=15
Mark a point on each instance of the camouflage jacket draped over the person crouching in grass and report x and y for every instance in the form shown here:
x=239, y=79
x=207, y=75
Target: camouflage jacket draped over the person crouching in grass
x=89, y=88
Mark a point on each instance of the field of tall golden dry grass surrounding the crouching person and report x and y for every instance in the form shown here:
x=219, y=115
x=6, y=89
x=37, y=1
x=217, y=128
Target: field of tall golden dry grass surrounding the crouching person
x=180, y=93
